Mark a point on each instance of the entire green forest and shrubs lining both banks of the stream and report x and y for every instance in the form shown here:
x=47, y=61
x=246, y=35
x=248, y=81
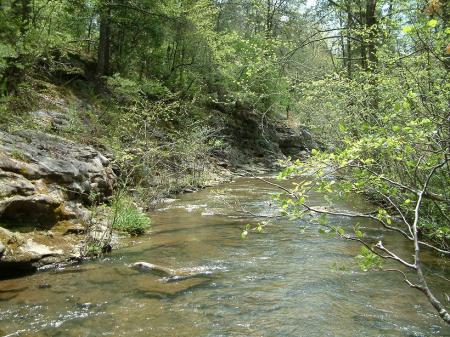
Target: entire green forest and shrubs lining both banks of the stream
x=174, y=89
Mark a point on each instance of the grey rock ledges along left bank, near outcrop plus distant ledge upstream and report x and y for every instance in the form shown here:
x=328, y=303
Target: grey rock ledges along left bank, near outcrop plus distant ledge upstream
x=49, y=183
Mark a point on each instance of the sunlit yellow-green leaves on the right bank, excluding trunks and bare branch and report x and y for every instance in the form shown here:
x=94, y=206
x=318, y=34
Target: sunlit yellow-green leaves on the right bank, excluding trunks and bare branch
x=386, y=129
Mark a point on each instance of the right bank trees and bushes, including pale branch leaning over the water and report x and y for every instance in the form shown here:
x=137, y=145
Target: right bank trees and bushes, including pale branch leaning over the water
x=387, y=121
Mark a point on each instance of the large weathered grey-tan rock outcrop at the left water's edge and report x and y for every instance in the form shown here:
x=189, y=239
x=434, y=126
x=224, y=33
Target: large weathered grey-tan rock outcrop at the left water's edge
x=46, y=184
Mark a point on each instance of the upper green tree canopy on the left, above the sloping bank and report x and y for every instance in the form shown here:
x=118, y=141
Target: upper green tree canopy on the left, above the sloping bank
x=198, y=49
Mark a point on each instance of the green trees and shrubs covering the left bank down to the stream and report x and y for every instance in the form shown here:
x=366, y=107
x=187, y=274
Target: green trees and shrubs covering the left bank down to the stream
x=163, y=85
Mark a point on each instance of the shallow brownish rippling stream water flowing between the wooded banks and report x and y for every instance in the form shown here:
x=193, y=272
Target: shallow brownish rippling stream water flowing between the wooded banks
x=287, y=281
